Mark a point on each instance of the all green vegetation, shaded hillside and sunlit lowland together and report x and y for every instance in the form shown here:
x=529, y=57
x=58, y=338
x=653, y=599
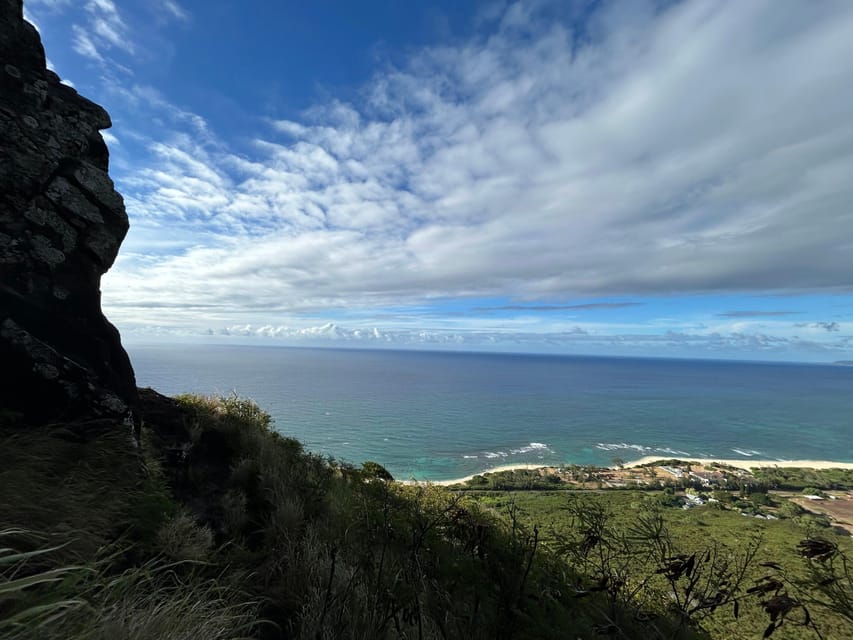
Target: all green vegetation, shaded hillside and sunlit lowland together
x=244, y=534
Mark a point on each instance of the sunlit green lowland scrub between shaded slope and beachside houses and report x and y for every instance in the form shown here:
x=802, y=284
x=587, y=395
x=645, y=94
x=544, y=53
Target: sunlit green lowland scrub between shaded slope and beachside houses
x=627, y=543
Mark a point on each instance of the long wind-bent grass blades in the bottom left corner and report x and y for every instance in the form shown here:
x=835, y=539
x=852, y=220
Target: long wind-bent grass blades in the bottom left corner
x=43, y=600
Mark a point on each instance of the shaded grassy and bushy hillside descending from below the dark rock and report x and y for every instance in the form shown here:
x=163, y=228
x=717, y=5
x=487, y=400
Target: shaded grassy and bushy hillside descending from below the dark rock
x=249, y=535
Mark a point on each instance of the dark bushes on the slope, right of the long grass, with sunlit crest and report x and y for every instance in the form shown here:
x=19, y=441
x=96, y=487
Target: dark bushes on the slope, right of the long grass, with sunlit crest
x=334, y=553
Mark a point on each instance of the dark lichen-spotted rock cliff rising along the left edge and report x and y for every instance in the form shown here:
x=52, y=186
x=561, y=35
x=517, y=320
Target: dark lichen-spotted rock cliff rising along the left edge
x=61, y=224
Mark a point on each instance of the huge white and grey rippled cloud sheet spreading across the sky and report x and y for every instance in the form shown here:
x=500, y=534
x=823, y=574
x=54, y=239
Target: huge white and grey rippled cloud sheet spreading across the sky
x=700, y=148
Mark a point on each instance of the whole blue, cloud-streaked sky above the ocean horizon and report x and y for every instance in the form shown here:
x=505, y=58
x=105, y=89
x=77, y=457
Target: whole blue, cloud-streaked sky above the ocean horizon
x=668, y=179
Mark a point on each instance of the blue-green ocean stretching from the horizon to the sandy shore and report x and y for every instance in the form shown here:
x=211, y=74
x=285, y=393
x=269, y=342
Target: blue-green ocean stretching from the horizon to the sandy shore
x=439, y=415
